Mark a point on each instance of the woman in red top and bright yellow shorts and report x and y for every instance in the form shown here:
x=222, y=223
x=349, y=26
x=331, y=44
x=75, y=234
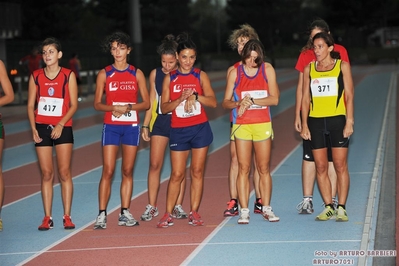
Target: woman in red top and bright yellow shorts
x=250, y=90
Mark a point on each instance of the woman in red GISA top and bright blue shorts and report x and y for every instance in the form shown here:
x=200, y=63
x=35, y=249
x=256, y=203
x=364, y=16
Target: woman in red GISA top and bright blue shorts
x=122, y=84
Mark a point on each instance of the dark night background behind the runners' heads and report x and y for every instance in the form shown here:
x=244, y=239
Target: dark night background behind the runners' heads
x=281, y=24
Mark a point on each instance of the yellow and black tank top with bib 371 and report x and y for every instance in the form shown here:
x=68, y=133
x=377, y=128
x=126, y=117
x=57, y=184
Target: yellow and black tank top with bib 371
x=326, y=91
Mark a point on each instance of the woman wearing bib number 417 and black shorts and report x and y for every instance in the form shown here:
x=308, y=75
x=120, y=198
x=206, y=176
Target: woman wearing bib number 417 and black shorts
x=54, y=90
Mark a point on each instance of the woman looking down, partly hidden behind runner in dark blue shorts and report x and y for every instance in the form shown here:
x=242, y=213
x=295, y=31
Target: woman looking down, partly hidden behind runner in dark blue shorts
x=156, y=129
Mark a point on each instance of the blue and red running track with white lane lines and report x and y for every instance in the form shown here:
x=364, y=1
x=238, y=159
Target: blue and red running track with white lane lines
x=295, y=240
